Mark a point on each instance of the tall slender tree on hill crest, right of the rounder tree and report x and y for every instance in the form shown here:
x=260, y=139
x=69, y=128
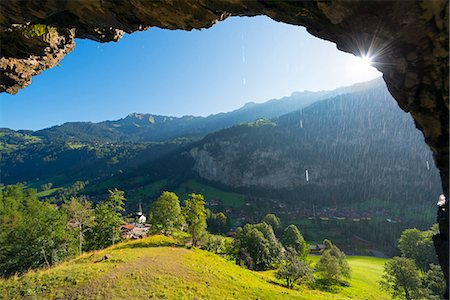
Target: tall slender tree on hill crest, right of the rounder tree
x=195, y=215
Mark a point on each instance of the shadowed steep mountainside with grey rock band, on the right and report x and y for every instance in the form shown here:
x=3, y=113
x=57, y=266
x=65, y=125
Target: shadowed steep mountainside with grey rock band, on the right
x=360, y=142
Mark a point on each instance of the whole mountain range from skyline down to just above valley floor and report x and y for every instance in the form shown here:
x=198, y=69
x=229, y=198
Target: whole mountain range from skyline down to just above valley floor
x=352, y=142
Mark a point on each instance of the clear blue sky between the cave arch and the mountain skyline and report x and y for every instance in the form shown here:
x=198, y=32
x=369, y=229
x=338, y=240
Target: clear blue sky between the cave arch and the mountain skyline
x=182, y=73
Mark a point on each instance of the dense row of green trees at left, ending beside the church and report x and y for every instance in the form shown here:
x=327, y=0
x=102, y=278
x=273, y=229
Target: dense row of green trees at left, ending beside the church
x=35, y=233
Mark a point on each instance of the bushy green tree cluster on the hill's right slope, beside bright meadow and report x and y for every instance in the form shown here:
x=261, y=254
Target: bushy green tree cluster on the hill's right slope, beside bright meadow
x=258, y=248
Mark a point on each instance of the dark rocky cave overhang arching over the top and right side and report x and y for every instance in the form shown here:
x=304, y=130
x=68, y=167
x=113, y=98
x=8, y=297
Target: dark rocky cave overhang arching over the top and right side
x=409, y=41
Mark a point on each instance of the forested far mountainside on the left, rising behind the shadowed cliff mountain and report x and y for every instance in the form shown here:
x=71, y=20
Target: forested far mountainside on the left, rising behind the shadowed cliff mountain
x=90, y=151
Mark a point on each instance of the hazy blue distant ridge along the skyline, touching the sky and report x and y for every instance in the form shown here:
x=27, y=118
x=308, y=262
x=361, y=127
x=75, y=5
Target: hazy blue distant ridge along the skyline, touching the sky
x=140, y=127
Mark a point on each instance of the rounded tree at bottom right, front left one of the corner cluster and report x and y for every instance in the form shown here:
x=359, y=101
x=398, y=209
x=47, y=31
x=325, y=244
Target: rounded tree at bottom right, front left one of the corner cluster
x=401, y=279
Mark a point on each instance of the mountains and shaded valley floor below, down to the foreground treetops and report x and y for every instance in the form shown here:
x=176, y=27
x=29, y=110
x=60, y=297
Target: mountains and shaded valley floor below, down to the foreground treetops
x=350, y=154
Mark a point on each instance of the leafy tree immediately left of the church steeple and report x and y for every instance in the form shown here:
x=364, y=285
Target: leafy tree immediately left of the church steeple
x=108, y=216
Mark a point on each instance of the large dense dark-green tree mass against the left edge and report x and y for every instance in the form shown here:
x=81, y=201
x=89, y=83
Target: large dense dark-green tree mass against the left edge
x=32, y=233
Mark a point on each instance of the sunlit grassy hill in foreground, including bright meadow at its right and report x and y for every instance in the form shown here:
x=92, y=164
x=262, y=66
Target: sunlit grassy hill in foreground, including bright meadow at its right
x=139, y=269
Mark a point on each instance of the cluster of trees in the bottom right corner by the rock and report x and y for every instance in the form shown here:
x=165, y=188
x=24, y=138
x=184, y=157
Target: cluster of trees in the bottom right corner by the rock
x=415, y=274
